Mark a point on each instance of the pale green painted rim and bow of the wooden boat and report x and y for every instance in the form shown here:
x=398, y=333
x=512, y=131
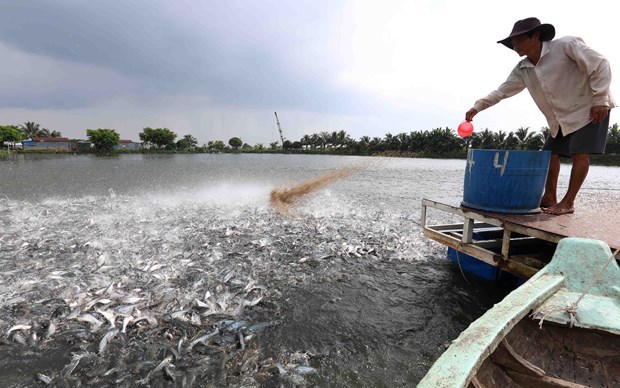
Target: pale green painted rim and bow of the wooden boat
x=575, y=264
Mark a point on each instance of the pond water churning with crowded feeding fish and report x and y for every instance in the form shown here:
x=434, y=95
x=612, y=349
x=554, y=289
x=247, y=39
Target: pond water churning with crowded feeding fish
x=175, y=271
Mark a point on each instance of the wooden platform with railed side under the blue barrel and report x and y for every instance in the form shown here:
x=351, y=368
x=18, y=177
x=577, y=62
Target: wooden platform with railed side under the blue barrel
x=518, y=243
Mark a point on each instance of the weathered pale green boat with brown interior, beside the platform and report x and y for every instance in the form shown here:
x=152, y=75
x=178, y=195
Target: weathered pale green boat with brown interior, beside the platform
x=559, y=329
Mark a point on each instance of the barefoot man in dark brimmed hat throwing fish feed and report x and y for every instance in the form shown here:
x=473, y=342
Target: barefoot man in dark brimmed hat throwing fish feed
x=570, y=84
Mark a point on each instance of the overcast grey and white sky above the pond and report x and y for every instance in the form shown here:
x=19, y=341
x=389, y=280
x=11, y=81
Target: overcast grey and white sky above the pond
x=217, y=69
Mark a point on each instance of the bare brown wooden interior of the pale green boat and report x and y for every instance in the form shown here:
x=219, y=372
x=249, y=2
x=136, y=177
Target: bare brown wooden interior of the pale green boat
x=553, y=356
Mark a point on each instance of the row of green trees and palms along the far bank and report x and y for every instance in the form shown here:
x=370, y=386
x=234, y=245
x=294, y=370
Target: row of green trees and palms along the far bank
x=438, y=141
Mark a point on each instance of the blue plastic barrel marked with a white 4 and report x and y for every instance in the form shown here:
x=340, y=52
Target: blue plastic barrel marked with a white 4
x=505, y=181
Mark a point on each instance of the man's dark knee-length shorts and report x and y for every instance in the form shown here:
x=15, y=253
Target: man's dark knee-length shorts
x=590, y=139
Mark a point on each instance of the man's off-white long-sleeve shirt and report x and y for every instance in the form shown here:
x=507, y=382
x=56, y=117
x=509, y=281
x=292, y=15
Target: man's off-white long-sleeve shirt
x=567, y=81
